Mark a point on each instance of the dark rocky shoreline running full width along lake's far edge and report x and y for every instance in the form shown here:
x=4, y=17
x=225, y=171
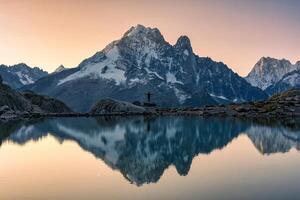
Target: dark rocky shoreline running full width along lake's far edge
x=281, y=106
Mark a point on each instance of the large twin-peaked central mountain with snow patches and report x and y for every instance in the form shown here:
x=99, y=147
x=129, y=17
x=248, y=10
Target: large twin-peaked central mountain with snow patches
x=142, y=61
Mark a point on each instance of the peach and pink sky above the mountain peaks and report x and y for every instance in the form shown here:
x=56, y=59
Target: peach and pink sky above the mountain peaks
x=48, y=33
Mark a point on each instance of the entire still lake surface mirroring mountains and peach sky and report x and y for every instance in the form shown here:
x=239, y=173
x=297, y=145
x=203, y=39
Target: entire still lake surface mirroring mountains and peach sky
x=148, y=158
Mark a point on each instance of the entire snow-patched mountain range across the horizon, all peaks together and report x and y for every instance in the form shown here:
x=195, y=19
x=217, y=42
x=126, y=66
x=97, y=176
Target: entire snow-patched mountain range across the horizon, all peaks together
x=142, y=61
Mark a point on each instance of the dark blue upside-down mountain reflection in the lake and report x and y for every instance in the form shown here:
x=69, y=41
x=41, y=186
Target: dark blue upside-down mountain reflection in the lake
x=142, y=148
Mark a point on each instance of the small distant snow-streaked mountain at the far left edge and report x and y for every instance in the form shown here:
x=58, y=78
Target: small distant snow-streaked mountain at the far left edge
x=17, y=76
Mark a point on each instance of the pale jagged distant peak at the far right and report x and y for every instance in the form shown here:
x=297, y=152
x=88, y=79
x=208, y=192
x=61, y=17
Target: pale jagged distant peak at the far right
x=269, y=71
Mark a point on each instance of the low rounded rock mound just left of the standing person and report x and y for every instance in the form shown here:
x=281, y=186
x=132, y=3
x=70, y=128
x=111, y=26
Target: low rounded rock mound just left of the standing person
x=109, y=106
